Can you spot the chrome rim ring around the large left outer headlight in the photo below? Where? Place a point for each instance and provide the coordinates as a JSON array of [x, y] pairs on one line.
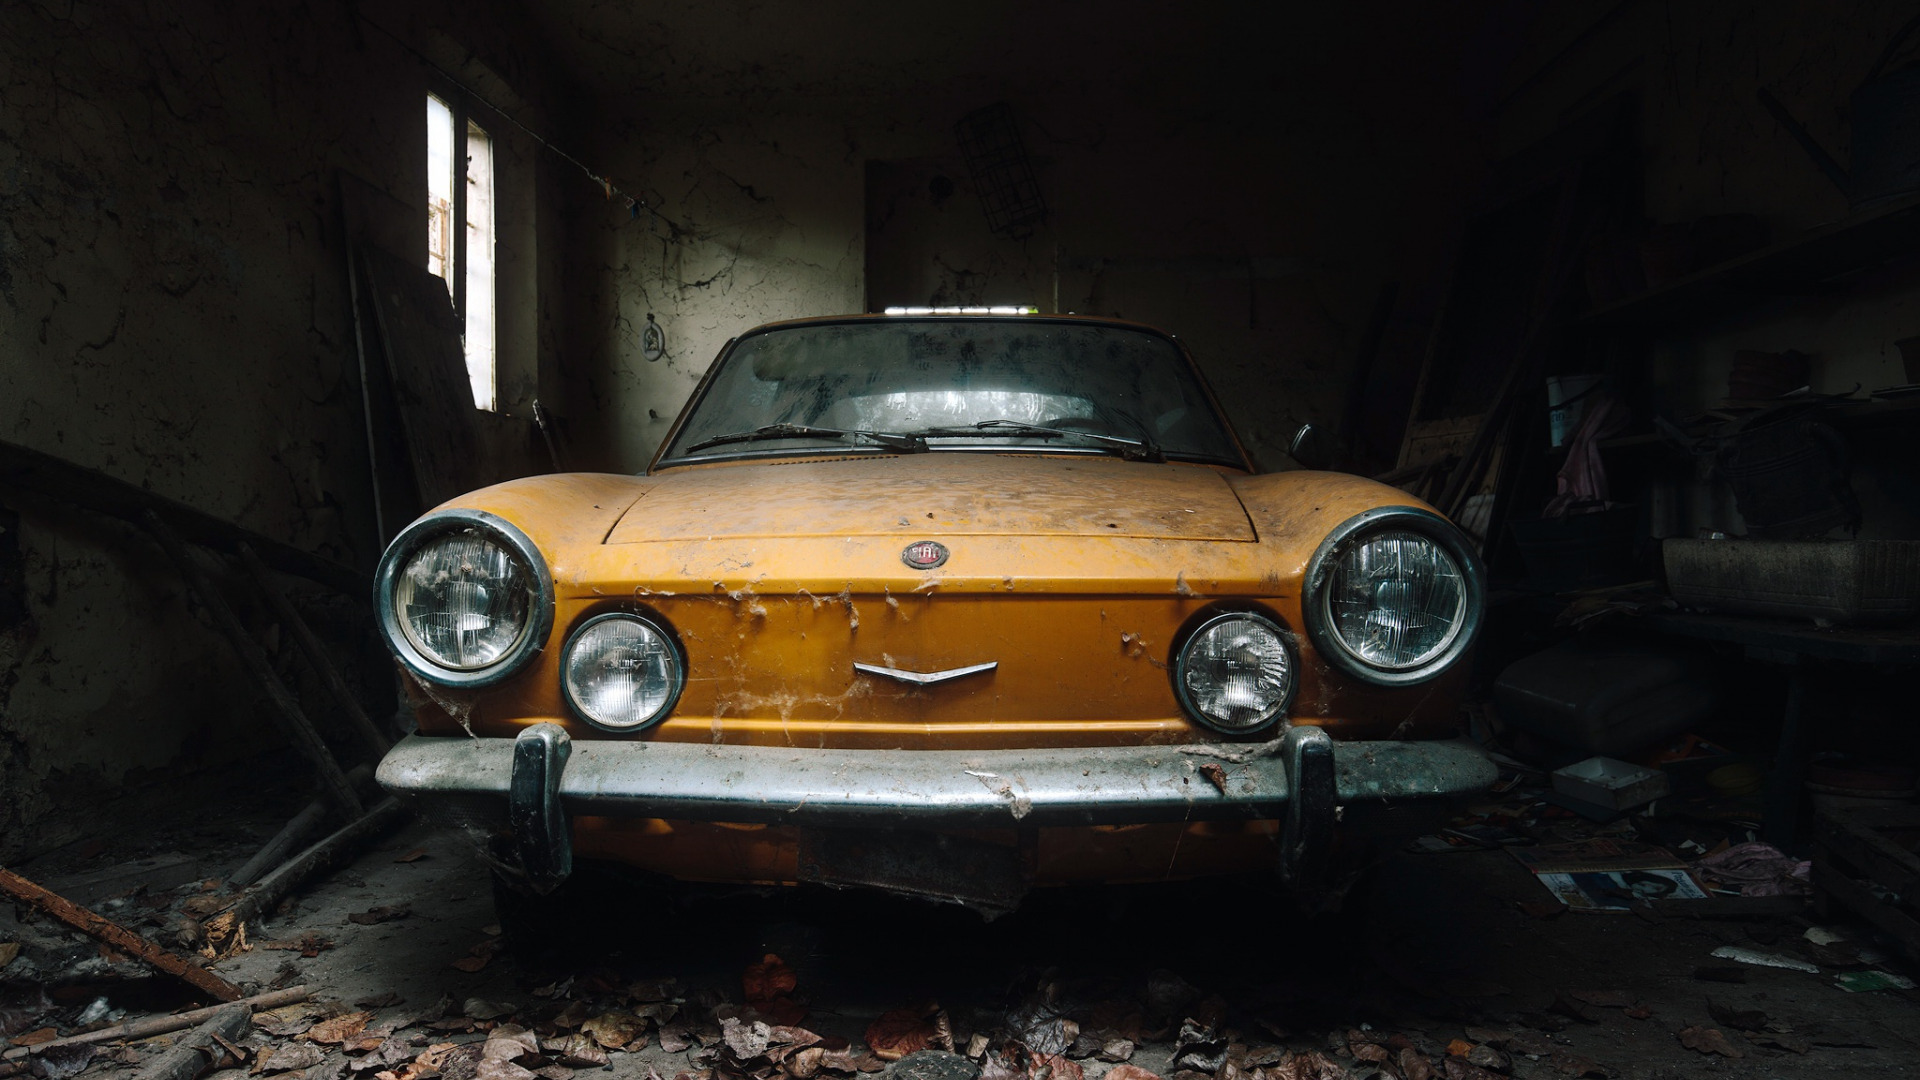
[[429, 529]]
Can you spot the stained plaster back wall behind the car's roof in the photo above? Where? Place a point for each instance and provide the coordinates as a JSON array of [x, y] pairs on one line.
[[1247, 187]]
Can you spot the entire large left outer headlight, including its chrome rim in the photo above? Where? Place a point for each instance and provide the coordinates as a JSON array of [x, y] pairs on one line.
[[464, 599]]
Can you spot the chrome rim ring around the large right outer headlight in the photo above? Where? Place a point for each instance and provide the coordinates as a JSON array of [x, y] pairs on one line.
[[1318, 599]]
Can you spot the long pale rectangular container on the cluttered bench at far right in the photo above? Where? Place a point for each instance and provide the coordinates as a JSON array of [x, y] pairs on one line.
[[1827, 581]]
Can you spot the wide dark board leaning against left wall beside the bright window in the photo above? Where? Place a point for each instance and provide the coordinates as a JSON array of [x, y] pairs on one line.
[[421, 339]]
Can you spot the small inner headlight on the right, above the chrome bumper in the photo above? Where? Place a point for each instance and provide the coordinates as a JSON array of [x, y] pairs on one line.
[[1236, 674]]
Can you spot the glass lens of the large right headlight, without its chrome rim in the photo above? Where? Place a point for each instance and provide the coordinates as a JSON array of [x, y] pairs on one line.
[[1397, 601]]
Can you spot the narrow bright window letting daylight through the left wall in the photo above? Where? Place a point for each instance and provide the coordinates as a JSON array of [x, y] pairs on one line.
[[460, 233]]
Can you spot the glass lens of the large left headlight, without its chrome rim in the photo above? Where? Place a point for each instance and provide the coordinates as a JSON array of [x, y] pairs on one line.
[[464, 601]]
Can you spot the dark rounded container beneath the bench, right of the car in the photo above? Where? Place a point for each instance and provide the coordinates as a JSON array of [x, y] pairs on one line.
[[1606, 697]]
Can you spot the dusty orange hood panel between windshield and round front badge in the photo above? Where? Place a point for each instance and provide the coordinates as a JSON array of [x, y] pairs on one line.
[[953, 495]]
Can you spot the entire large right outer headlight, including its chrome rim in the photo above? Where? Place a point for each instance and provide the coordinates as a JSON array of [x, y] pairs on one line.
[[1395, 597]]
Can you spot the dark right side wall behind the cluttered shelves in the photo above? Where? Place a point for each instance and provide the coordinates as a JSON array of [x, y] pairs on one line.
[[1710, 147]]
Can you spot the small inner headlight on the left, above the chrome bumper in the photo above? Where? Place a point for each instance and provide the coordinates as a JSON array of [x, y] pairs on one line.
[[623, 672]]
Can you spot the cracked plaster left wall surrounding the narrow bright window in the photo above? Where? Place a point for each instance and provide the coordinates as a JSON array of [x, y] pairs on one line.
[[174, 312]]
